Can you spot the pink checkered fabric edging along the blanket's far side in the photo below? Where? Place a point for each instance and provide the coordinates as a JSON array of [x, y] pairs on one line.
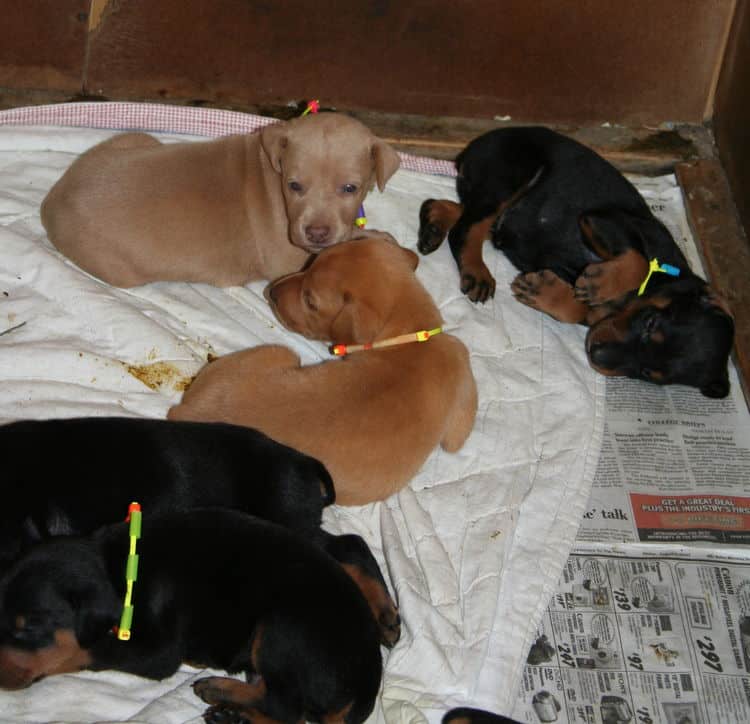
[[155, 117]]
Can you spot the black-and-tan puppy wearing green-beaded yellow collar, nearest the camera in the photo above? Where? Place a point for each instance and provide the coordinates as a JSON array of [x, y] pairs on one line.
[[215, 588]]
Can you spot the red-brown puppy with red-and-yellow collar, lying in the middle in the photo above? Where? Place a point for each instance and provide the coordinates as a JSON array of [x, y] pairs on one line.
[[373, 417]]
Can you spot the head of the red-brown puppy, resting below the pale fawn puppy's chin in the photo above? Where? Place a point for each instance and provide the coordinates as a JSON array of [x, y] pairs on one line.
[[346, 292]]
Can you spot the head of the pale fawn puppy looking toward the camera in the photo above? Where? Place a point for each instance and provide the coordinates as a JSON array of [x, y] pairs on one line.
[[327, 163]]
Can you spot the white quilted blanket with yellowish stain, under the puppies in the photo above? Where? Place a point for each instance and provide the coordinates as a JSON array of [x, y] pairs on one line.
[[472, 548]]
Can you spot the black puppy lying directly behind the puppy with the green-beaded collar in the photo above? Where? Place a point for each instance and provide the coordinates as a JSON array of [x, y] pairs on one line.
[[72, 476]]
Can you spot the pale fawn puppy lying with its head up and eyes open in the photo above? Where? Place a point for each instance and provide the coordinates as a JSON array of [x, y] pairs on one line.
[[133, 210]]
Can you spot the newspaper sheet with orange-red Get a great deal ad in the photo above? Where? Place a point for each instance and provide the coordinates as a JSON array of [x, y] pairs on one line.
[[674, 468]]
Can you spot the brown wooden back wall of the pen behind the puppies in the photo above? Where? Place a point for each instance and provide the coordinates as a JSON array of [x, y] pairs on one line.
[[556, 61]]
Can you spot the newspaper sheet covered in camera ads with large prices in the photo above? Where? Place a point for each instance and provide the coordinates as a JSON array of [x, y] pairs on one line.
[[626, 639]]
